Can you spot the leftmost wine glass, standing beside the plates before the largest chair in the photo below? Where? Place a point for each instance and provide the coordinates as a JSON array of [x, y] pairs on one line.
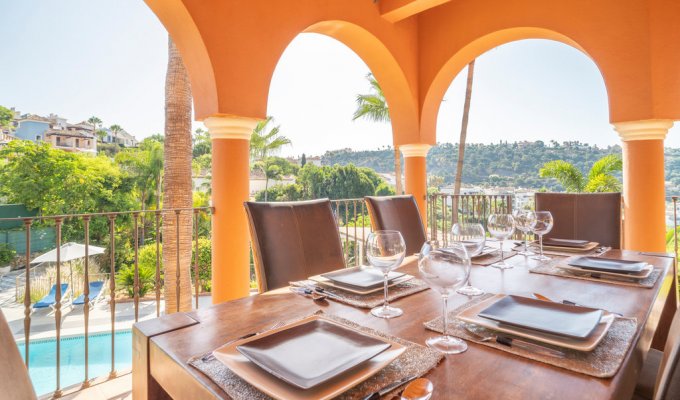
[[385, 251]]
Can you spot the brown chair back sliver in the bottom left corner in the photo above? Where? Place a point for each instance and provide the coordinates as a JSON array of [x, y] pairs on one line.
[[15, 382]]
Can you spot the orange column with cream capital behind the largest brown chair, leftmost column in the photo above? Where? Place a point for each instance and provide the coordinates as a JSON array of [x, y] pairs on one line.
[[230, 188]]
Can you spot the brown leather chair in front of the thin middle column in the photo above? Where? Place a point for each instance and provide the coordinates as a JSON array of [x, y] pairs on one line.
[[398, 213]]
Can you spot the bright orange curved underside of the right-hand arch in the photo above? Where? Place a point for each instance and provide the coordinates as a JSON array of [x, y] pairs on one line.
[[442, 80]]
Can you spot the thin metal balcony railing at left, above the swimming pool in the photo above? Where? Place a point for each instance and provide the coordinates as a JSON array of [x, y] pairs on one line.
[[122, 234]]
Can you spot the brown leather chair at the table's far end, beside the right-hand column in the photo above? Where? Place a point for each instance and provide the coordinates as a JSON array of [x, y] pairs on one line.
[[588, 216]]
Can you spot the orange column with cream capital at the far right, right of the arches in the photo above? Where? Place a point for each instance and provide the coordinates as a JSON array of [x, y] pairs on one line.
[[644, 208]]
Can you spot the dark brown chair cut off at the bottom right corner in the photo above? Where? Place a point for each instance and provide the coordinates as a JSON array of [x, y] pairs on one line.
[[660, 375]]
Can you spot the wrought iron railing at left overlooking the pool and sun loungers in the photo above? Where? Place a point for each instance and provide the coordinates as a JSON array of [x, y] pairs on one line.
[[126, 230]]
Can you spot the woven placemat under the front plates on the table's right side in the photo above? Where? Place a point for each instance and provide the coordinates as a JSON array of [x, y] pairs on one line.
[[603, 362]]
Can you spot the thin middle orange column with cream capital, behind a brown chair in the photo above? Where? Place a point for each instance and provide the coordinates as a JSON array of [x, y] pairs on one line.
[[415, 174]]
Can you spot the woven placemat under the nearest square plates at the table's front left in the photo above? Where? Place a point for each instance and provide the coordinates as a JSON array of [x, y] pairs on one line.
[[416, 360]]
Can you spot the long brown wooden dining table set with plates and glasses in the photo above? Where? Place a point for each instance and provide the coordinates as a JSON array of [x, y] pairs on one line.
[[162, 347]]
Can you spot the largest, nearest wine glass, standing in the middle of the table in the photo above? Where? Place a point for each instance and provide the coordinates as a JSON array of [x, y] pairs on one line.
[[445, 270]]
